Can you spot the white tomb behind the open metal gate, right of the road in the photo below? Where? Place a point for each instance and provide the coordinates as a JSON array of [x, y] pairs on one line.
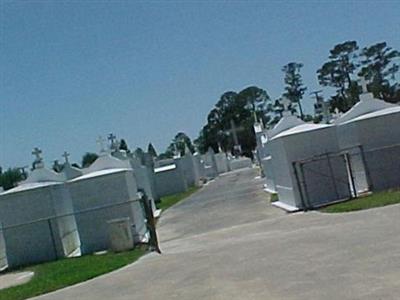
[[325, 179]]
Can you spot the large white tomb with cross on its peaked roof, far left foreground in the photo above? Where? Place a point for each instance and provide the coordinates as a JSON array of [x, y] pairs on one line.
[[38, 220]]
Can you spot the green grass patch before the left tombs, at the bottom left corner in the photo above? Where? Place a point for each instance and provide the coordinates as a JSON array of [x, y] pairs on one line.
[[54, 275]]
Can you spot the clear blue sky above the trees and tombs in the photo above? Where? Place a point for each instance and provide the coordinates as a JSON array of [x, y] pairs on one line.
[[71, 71]]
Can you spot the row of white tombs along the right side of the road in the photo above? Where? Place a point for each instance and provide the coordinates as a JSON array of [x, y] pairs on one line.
[[312, 165]]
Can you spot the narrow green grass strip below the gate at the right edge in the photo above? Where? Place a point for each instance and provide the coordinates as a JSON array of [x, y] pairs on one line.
[[371, 201]]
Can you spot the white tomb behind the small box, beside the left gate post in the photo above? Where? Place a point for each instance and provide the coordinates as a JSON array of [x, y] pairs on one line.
[[105, 192]]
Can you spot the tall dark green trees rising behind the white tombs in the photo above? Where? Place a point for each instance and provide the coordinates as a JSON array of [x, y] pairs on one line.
[[346, 63]]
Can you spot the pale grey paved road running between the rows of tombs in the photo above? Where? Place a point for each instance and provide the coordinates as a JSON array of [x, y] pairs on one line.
[[226, 242]]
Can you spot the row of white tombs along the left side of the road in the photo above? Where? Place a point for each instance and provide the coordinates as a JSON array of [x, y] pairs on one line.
[[81, 211]]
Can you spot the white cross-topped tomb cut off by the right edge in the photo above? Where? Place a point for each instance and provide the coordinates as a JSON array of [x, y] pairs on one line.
[[373, 125]]
